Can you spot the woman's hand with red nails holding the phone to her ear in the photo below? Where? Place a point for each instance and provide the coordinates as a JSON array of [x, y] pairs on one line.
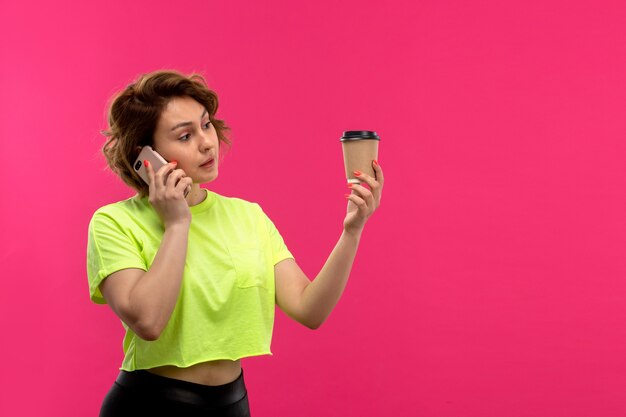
[[167, 193]]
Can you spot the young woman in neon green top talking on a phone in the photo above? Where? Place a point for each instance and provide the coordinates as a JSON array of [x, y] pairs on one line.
[[193, 275]]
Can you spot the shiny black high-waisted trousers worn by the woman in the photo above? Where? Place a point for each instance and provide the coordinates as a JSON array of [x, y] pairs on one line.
[[141, 393]]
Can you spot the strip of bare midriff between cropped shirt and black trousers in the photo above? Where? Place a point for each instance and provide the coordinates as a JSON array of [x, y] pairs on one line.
[[207, 373]]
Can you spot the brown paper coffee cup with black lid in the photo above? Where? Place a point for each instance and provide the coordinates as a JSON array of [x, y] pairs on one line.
[[360, 148]]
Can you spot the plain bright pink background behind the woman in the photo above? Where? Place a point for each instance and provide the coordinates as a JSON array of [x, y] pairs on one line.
[[491, 281]]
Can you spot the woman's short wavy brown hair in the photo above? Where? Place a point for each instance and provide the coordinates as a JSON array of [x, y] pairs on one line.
[[134, 113]]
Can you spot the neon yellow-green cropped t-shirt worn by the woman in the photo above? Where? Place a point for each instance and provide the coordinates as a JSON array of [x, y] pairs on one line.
[[225, 309]]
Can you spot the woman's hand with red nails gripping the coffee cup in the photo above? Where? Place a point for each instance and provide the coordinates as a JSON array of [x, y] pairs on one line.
[[362, 202]]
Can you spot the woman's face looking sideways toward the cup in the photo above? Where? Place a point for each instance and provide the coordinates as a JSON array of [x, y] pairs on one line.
[[185, 134]]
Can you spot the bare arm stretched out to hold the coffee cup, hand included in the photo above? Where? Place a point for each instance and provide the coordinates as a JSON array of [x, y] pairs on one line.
[[310, 303]]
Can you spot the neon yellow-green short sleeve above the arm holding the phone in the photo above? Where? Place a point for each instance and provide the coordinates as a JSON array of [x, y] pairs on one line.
[[109, 249]]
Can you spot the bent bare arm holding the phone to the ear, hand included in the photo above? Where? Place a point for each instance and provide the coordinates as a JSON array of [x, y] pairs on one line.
[[145, 300]]
